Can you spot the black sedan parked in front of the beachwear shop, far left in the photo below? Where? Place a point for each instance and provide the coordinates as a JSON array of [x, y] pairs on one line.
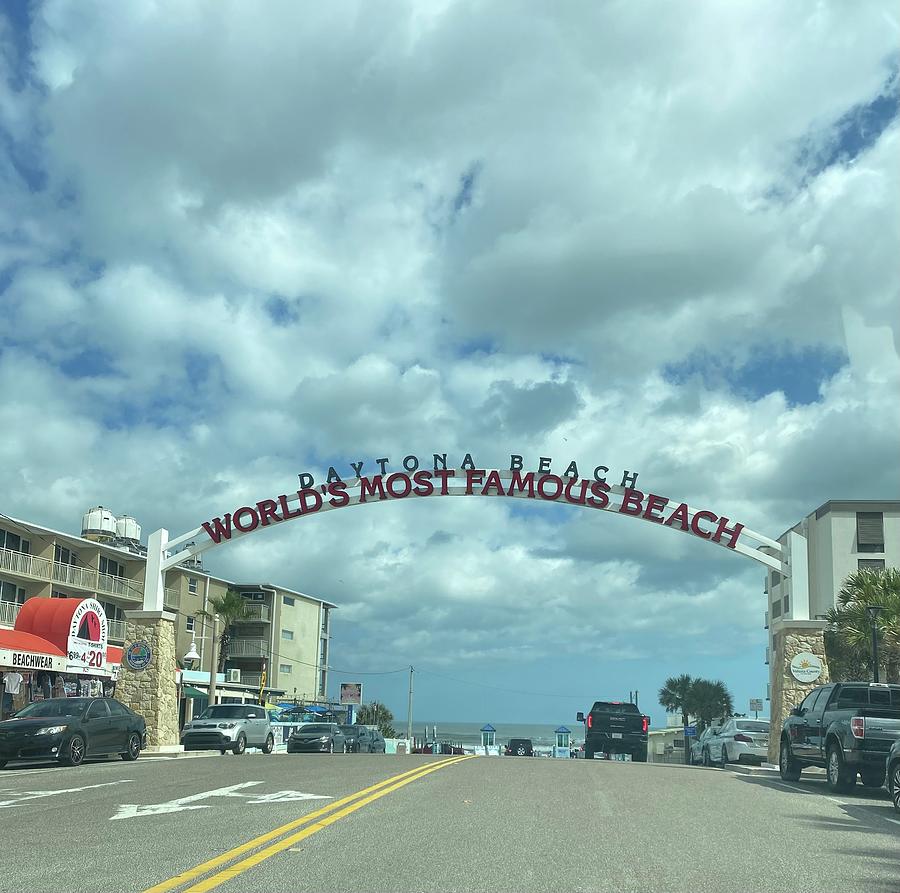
[[70, 729]]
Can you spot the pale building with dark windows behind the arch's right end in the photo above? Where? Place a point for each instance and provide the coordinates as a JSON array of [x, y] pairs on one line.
[[838, 538]]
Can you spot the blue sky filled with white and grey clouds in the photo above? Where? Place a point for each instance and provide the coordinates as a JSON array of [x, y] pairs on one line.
[[240, 241]]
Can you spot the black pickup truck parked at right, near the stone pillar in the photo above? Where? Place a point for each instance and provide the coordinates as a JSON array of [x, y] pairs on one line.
[[846, 727]]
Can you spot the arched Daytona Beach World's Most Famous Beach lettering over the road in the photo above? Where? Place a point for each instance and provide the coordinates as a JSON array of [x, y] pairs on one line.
[[412, 482]]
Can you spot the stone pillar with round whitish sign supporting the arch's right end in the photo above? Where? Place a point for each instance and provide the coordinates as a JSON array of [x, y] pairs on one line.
[[787, 692]]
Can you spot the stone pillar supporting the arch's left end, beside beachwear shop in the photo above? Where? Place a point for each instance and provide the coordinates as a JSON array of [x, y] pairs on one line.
[[152, 692]]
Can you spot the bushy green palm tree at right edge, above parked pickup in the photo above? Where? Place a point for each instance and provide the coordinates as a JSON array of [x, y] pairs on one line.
[[852, 623]]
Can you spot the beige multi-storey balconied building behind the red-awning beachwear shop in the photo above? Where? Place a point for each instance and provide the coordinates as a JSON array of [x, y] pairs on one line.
[[285, 631]]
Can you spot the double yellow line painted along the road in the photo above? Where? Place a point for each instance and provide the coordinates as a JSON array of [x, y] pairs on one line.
[[308, 824]]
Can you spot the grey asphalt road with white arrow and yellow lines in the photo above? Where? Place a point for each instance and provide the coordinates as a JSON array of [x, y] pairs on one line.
[[435, 824]]
